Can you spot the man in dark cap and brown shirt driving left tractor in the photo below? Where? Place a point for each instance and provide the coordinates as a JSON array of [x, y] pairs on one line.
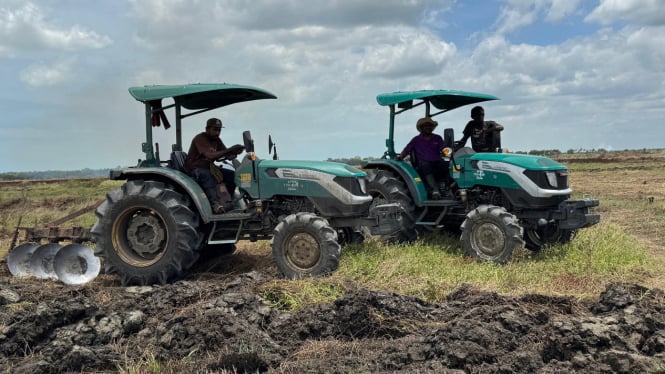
[[217, 183]]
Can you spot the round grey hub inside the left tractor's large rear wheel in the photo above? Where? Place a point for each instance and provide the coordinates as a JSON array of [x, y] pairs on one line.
[[145, 234]]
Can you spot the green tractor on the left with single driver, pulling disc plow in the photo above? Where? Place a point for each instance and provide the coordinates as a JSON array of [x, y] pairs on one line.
[[154, 227]]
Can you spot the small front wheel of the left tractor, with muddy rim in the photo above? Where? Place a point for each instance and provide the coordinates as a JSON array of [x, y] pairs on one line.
[[305, 245]]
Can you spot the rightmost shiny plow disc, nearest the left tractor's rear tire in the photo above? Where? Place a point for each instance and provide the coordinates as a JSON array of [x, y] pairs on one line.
[[76, 264]]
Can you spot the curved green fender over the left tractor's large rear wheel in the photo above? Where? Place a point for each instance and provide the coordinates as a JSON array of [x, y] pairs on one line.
[[179, 180]]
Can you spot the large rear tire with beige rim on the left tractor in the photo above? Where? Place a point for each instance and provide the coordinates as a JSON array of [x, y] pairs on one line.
[[146, 233]]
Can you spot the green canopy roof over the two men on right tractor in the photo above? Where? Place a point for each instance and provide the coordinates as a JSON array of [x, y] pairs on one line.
[[444, 100]]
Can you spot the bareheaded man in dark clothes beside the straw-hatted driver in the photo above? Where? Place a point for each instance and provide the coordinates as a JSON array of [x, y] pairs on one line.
[[484, 135]]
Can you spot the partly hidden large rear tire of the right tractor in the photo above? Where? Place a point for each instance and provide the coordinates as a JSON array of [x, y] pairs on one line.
[[385, 187]]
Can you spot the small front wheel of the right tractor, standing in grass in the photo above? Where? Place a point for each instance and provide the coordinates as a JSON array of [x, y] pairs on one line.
[[490, 233]]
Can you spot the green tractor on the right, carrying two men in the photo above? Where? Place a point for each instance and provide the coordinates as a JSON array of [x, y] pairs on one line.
[[499, 201]]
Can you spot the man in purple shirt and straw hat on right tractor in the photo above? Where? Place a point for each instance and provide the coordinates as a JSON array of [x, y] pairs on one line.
[[426, 157]]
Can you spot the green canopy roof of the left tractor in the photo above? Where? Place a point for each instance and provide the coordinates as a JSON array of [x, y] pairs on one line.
[[201, 95]]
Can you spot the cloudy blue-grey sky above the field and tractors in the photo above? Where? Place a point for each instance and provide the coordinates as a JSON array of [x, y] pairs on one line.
[[570, 74]]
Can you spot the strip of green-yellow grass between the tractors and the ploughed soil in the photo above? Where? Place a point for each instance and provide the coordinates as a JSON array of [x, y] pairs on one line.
[[433, 267]]
